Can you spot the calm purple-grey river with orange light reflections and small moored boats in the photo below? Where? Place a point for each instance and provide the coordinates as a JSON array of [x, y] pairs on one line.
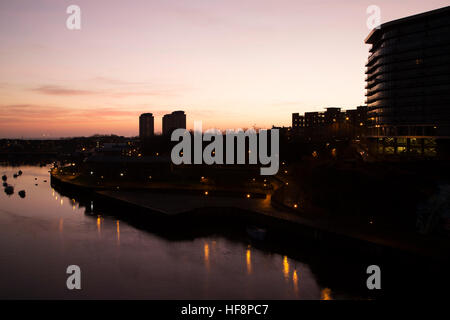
[[43, 233]]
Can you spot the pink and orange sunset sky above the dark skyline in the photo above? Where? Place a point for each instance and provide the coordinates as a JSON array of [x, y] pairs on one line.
[[228, 63]]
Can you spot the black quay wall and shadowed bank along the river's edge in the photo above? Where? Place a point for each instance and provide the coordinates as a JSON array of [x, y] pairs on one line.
[[317, 248]]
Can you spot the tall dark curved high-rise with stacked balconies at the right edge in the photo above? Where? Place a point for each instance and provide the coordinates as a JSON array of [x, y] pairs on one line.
[[408, 84]]
